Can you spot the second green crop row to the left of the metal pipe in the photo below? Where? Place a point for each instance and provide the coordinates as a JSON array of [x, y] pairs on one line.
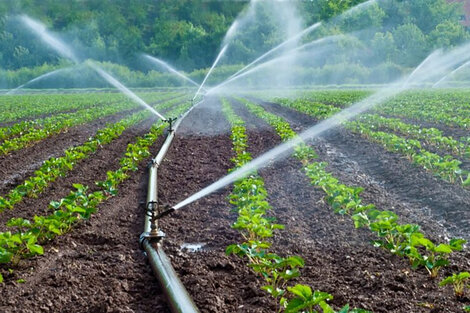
[[54, 168]]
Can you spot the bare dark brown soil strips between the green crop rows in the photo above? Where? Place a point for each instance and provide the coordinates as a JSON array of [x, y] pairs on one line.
[[98, 267]]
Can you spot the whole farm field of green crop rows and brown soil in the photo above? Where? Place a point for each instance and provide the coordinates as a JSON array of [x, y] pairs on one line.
[[367, 213]]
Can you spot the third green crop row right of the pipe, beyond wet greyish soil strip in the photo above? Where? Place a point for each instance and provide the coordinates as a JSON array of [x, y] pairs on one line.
[[445, 167]]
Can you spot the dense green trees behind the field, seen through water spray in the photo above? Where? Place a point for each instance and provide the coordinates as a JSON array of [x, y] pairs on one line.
[[189, 33]]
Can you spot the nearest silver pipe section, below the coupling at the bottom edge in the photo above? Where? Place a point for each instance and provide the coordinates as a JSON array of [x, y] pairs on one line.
[[178, 297]]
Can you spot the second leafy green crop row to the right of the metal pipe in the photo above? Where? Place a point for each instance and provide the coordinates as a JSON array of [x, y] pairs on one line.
[[404, 240]]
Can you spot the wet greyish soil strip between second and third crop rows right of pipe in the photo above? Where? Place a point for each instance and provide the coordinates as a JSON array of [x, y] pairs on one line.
[[356, 161]]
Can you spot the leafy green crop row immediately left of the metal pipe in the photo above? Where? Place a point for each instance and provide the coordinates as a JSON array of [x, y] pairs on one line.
[[27, 236]]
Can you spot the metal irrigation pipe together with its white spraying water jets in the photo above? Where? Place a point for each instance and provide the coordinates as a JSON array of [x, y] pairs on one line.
[[152, 237]]
